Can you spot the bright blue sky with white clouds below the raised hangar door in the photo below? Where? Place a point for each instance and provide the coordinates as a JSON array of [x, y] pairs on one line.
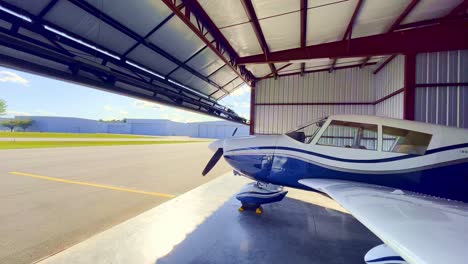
[[28, 94]]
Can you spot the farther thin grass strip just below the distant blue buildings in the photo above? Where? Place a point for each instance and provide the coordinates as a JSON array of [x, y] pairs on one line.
[[65, 135]]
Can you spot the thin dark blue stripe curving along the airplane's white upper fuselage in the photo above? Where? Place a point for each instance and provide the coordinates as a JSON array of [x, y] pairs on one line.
[[273, 148]]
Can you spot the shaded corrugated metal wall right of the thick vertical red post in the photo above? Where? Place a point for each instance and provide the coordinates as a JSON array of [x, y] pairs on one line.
[[444, 105]]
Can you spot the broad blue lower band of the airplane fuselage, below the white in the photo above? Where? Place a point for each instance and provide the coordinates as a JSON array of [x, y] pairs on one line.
[[448, 181]]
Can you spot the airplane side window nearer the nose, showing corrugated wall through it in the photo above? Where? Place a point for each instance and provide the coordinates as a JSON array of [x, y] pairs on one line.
[[350, 135]]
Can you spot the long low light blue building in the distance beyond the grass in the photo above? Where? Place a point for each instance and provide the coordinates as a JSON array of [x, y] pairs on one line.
[[157, 127]]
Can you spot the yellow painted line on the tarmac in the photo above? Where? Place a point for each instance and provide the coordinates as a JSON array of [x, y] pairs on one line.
[[92, 184]]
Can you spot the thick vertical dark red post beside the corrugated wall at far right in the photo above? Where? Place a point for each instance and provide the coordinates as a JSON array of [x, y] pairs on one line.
[[410, 87]]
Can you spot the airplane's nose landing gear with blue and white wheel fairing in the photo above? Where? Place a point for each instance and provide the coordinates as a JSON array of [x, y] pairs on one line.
[[253, 195]]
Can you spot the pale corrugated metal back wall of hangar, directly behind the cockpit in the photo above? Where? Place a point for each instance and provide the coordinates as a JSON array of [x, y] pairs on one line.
[[346, 85]]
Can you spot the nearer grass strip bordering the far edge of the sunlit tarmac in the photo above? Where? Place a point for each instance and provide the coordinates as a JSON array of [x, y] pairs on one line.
[[59, 144]]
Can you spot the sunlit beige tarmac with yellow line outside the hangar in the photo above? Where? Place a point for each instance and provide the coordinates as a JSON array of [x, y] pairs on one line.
[[51, 199]]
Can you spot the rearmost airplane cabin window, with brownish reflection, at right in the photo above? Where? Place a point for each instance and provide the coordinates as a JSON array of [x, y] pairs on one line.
[[404, 141]]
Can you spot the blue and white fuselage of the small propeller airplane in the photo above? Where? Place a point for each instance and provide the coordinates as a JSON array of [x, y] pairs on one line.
[[441, 171]]
